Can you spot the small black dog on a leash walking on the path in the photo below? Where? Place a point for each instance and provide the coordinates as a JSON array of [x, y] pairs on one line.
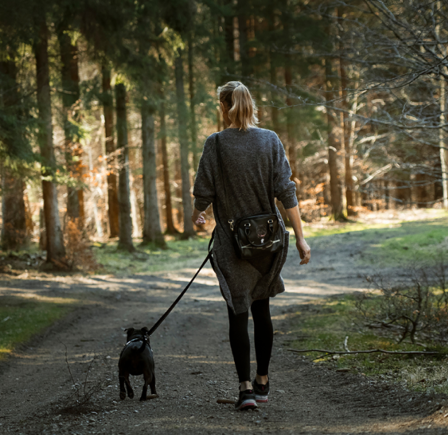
[[136, 359]]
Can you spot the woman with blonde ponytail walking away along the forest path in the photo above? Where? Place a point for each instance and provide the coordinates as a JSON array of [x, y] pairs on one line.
[[241, 171]]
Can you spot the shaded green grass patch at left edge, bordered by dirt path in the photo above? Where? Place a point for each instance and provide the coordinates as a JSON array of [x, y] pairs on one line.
[[21, 318]]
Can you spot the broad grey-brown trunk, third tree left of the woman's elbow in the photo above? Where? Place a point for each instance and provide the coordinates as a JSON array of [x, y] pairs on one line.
[[152, 232]]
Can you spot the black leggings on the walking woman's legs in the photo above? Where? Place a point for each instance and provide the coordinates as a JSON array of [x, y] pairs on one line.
[[239, 339]]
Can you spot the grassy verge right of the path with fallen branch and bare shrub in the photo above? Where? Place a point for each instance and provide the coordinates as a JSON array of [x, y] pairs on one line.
[[325, 324]]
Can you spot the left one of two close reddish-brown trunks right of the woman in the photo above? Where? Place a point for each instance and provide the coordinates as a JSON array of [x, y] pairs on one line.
[[334, 144]]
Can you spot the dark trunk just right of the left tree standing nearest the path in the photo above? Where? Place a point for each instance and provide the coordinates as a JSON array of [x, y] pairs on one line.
[[70, 111]]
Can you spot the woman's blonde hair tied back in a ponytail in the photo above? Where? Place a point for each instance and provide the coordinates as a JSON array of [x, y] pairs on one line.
[[237, 98]]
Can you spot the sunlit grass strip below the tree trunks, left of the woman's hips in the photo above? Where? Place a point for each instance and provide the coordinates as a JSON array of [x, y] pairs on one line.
[[149, 259]]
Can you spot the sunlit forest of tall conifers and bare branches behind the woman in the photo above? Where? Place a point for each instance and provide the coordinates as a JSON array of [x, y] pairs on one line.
[[105, 106]]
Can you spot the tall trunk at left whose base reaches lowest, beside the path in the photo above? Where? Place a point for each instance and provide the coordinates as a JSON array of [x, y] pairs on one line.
[[55, 242]]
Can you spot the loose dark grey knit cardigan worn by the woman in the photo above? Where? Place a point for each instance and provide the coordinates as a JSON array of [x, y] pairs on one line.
[[256, 170]]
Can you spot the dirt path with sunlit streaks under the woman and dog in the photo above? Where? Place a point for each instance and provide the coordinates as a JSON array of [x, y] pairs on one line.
[[194, 365]]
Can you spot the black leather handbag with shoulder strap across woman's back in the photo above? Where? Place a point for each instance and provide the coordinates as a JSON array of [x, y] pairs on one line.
[[254, 236]]
